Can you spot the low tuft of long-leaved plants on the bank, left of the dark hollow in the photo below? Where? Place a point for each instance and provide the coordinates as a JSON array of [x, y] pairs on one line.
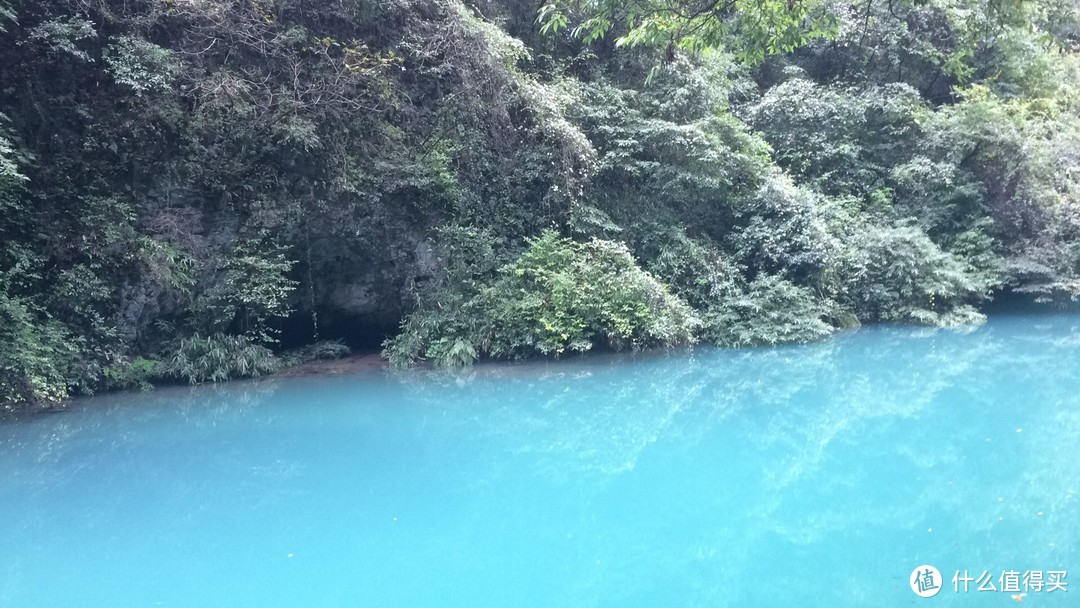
[[218, 359]]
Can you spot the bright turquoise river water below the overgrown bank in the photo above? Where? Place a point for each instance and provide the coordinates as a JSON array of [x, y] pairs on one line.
[[803, 477]]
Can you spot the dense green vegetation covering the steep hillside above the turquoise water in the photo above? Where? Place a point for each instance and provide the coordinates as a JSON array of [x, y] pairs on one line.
[[192, 188]]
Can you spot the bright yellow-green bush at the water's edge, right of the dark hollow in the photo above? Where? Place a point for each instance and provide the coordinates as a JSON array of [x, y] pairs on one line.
[[559, 296]]
